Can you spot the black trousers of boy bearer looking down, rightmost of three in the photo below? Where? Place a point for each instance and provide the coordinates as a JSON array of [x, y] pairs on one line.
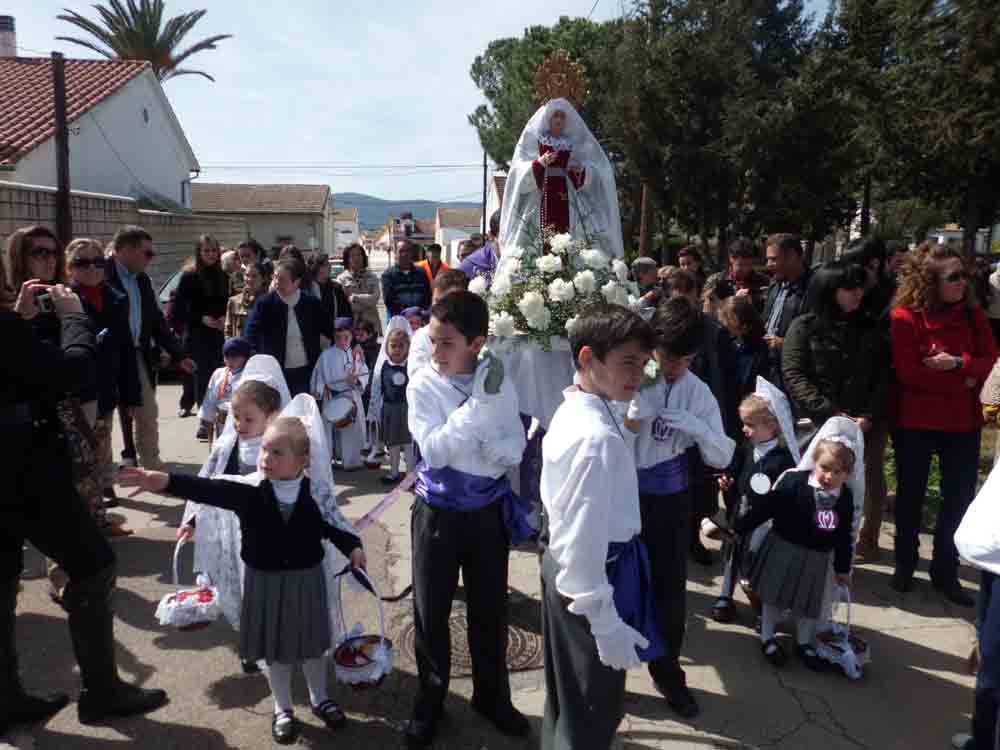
[[666, 533]]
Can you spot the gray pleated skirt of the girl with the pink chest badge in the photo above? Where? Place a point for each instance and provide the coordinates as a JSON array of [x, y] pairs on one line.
[[788, 576]]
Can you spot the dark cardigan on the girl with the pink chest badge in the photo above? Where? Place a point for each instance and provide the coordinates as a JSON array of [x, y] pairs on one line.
[[792, 505]]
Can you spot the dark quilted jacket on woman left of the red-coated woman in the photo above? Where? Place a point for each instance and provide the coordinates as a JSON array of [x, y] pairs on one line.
[[833, 367]]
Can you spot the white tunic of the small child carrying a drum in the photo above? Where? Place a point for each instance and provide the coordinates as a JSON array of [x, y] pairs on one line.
[[328, 382]]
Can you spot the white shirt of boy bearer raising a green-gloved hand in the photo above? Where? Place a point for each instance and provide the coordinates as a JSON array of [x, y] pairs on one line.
[[456, 424]]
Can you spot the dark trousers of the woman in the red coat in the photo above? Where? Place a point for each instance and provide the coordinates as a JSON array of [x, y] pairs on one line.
[[959, 456]]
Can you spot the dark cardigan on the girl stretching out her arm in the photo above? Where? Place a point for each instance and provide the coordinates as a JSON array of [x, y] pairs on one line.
[[269, 542]]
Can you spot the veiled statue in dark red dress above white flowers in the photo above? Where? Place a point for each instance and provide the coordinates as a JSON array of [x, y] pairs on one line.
[[560, 182]]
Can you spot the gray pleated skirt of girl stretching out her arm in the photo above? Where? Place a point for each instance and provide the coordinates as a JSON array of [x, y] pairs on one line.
[[285, 615]]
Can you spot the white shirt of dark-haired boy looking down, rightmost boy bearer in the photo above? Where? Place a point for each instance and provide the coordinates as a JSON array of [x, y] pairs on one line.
[[676, 416]]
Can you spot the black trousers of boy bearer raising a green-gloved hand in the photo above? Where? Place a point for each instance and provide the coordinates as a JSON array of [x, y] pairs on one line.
[[444, 542]]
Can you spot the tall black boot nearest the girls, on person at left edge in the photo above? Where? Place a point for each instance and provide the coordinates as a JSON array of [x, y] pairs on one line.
[[91, 627]]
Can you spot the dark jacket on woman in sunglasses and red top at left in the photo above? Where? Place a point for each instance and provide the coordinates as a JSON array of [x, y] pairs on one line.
[[117, 369]]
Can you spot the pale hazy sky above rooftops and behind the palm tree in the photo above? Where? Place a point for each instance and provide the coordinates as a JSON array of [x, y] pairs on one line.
[[379, 82]]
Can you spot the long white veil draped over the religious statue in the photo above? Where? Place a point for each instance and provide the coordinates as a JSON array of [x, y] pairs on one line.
[[593, 208]]
